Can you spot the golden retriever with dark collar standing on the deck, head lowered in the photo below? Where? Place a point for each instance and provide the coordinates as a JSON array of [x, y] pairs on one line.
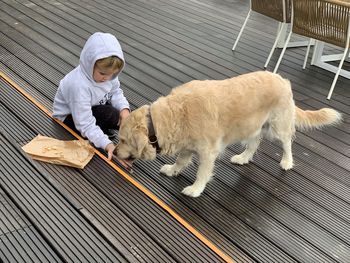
[[203, 117]]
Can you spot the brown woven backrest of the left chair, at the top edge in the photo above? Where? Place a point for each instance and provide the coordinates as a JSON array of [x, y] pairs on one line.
[[279, 10]]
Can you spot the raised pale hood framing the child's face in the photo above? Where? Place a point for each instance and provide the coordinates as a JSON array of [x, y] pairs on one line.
[[99, 45]]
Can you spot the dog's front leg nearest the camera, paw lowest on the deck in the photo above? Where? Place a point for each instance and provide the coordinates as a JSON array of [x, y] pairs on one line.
[[204, 173]]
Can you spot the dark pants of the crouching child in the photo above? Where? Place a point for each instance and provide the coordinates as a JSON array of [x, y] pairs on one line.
[[107, 117]]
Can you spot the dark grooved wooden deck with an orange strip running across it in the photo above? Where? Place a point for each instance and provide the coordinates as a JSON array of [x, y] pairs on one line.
[[251, 213]]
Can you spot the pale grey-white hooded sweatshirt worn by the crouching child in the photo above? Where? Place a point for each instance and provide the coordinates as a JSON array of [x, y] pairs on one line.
[[78, 91]]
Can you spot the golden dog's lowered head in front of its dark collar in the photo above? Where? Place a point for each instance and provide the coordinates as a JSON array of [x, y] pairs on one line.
[[133, 137]]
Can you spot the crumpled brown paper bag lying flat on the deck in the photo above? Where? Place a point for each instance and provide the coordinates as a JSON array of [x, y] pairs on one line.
[[76, 153]]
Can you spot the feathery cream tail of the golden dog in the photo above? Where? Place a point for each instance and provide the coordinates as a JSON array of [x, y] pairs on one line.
[[306, 119]]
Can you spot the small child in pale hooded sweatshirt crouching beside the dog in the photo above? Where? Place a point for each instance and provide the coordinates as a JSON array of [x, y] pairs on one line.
[[89, 99]]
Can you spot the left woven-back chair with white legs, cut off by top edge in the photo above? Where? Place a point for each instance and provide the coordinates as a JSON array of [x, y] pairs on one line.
[[276, 9]]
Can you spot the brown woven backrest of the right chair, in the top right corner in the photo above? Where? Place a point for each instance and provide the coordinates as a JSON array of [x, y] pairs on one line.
[[324, 20]]
